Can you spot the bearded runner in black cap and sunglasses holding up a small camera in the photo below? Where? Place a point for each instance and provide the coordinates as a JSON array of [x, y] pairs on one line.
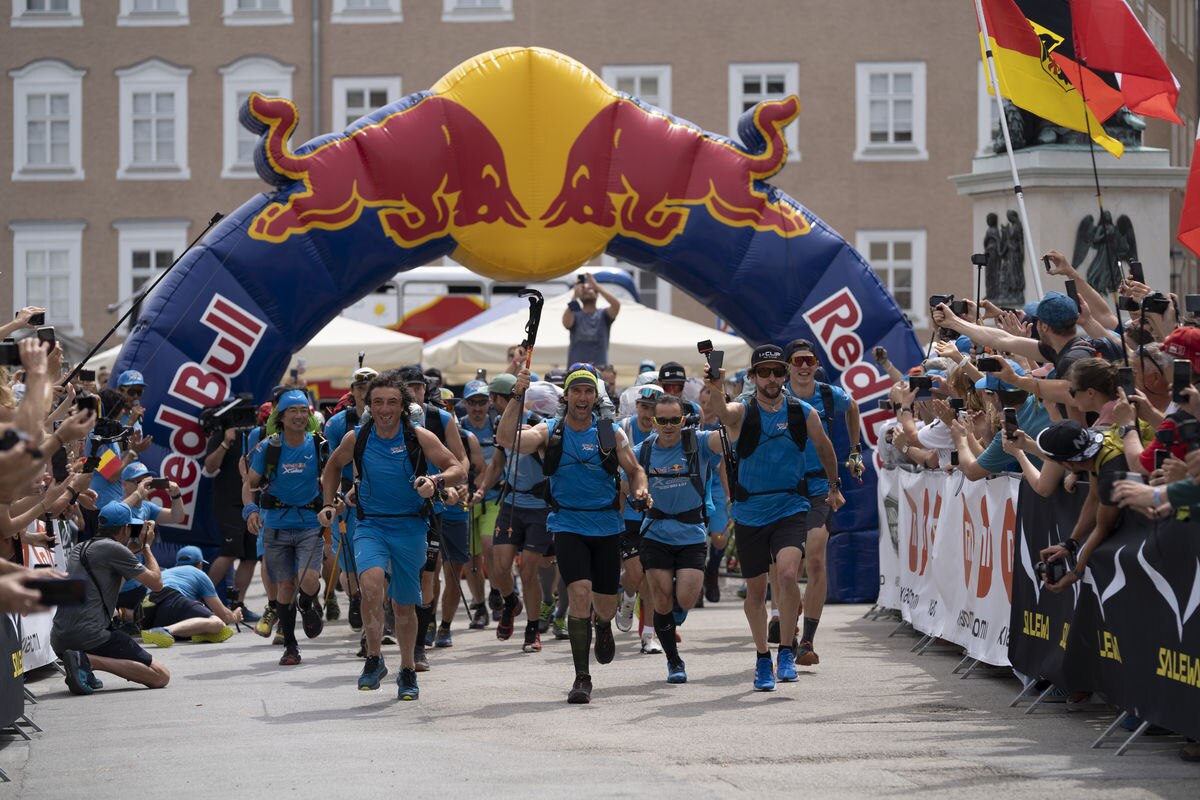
[[771, 497]]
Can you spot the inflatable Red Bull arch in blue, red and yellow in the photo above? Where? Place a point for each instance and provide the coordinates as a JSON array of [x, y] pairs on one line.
[[521, 165]]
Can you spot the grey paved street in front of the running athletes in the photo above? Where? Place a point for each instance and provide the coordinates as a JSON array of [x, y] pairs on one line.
[[872, 720]]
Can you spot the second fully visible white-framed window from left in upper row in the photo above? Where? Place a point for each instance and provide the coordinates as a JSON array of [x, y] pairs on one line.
[[154, 122]]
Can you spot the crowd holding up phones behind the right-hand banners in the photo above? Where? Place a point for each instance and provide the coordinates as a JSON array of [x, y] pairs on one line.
[[1071, 390]]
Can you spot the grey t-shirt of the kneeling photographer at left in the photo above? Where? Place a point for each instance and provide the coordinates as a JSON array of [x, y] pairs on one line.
[[82, 628]]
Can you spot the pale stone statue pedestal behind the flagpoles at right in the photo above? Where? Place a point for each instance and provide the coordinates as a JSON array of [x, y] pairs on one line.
[[1060, 191]]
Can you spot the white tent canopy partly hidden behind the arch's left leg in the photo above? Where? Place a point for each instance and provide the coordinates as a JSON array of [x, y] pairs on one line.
[[334, 353]]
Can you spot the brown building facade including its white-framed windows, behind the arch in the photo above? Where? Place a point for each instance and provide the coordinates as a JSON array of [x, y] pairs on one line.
[[125, 137]]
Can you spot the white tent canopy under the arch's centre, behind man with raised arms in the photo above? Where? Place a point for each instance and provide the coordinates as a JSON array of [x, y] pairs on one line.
[[638, 334]]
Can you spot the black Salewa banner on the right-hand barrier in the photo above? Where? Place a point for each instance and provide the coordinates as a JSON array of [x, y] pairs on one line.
[[1131, 630]]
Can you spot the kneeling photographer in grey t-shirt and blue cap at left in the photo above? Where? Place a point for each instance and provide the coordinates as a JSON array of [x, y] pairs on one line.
[[83, 636]]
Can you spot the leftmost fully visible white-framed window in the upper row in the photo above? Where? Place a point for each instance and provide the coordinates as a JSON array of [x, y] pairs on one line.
[[47, 122]]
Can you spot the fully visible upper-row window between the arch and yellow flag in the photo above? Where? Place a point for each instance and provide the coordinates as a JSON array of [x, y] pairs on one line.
[[890, 111]]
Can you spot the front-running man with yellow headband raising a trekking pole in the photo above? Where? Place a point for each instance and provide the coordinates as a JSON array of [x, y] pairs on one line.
[[585, 521]]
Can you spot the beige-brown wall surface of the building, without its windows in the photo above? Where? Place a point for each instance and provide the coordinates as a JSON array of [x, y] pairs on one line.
[[698, 39]]
